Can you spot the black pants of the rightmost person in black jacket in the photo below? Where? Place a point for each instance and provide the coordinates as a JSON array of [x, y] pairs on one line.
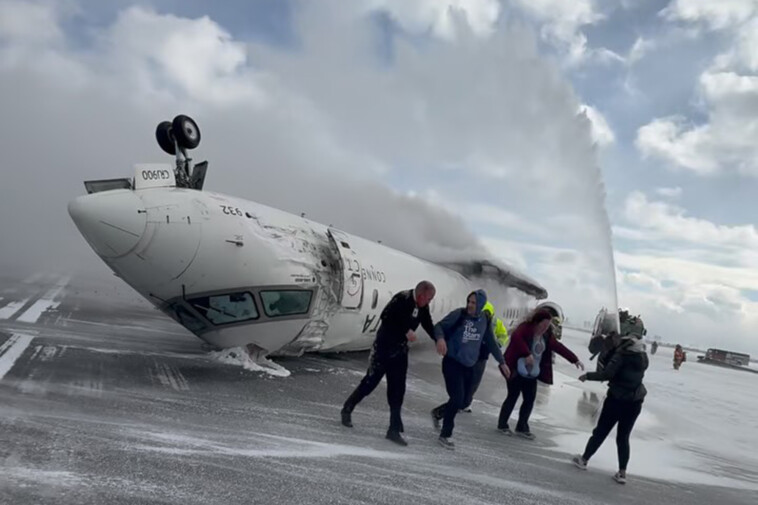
[[614, 411]]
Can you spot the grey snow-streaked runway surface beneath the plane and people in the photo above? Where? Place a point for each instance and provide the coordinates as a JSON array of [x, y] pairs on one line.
[[105, 400]]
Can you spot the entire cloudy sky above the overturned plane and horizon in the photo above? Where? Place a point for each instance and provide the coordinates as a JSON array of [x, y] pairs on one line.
[[555, 135]]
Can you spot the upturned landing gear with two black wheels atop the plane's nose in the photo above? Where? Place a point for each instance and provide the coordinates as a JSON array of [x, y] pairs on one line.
[[176, 138]]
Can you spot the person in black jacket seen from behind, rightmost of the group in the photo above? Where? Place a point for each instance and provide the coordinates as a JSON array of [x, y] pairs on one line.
[[623, 403]]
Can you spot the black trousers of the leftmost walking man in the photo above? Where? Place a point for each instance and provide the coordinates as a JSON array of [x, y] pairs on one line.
[[395, 367]]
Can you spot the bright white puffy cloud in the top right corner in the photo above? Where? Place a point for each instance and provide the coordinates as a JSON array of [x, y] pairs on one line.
[[728, 91]]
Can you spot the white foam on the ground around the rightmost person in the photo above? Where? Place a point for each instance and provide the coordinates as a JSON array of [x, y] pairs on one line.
[[697, 425]]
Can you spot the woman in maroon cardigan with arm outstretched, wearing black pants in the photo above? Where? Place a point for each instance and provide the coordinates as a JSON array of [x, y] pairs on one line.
[[528, 356]]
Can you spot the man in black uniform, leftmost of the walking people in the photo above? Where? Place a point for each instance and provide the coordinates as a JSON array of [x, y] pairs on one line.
[[389, 354]]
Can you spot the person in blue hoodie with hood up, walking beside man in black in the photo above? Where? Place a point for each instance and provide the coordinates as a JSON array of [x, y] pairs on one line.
[[461, 335]]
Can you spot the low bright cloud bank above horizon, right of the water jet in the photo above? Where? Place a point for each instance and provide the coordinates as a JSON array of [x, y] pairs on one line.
[[690, 277]]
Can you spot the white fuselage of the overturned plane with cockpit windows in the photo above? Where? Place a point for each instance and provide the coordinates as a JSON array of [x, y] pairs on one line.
[[236, 273]]
